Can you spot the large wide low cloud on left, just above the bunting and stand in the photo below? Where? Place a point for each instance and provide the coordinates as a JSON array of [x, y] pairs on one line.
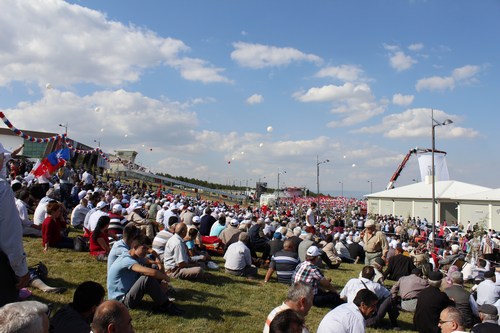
[[145, 120]]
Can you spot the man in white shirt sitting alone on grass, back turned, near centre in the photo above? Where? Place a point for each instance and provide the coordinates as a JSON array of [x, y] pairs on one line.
[[238, 258]]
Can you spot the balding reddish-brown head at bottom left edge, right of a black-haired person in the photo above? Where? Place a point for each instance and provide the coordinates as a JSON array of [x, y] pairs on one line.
[[112, 316]]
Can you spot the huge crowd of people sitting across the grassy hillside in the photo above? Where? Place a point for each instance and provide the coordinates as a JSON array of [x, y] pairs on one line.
[[149, 237]]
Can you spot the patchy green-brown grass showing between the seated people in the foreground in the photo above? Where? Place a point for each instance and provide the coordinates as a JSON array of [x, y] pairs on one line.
[[224, 304]]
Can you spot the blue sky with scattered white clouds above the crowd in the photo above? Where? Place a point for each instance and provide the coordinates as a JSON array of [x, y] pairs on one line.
[[192, 85]]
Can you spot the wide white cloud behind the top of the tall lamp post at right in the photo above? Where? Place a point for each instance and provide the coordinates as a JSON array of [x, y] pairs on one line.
[[416, 123]]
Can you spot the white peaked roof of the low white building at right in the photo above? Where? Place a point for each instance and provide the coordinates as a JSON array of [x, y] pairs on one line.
[[449, 189]]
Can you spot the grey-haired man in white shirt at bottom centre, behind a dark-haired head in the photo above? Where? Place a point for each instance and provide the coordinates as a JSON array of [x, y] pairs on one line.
[[299, 299]]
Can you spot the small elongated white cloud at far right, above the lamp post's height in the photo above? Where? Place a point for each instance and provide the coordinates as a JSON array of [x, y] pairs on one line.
[[461, 75]]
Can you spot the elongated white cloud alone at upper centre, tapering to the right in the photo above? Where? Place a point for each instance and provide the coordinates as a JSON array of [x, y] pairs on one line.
[[260, 56]]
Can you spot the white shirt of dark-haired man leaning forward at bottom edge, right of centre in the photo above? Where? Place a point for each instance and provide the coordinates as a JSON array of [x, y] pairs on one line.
[[345, 318]]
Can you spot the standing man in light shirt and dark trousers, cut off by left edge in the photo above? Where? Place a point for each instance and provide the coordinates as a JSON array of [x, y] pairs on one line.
[[13, 266]]
